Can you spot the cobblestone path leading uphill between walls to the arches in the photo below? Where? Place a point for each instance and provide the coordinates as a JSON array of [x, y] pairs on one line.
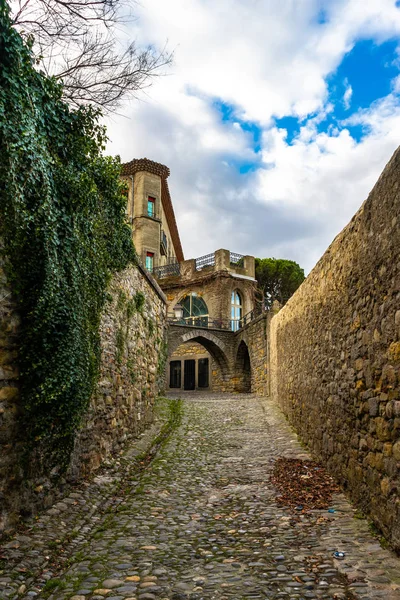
[[201, 522]]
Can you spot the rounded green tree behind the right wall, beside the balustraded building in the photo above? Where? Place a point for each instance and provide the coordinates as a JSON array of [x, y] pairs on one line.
[[278, 279]]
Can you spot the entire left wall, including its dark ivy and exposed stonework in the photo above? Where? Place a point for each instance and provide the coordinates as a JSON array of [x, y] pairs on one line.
[[64, 241]]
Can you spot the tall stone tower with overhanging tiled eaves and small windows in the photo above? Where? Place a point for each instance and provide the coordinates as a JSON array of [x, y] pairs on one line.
[[151, 214]]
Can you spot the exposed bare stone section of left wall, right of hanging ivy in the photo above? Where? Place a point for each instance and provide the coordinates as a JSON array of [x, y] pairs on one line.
[[133, 342]]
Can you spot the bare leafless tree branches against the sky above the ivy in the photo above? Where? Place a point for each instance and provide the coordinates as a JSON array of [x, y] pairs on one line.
[[76, 41]]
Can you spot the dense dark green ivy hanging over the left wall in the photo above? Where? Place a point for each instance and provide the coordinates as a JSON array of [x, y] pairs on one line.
[[62, 213]]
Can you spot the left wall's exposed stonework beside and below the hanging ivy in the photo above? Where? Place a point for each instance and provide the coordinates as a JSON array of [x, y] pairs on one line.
[[133, 338]]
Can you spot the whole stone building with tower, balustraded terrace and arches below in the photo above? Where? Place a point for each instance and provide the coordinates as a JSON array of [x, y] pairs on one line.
[[214, 293]]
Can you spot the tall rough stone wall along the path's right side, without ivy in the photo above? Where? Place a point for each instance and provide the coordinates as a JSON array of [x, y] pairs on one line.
[[335, 356]]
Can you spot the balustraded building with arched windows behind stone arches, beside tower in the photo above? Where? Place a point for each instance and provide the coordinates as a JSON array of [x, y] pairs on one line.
[[214, 292]]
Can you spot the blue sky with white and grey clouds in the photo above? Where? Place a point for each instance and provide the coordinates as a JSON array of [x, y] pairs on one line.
[[275, 119]]
